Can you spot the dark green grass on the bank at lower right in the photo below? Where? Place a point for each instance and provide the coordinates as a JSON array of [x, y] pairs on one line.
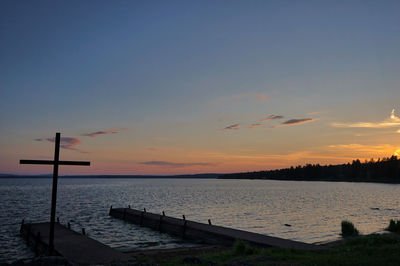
[[363, 250]]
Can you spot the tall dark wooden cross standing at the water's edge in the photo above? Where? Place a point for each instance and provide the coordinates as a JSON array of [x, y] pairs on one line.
[[56, 162]]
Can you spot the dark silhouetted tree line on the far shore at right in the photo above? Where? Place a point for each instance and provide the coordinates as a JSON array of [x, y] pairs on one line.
[[386, 170]]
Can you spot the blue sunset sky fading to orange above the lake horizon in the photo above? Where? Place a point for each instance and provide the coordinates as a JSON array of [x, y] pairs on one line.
[[186, 87]]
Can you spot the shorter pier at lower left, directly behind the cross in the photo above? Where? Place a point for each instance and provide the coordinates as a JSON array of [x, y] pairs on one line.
[[75, 247]]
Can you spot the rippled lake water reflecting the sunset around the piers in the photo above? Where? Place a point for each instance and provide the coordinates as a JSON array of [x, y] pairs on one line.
[[314, 209]]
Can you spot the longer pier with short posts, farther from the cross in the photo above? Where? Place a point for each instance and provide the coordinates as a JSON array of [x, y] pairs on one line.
[[206, 233]]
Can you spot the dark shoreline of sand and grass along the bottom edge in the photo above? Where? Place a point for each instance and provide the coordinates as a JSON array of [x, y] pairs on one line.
[[372, 249]]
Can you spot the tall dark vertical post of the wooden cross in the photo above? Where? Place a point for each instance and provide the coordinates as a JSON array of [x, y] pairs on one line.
[[54, 193]]
